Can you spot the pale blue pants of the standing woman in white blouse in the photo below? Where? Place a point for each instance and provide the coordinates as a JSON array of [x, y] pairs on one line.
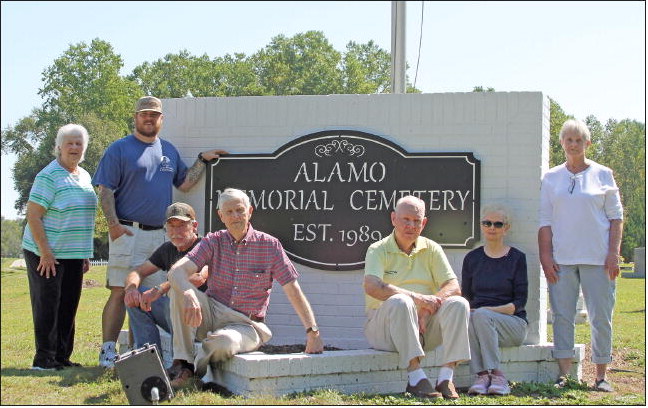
[[599, 293]]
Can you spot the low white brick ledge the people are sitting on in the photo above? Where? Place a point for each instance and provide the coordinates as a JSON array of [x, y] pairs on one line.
[[360, 371]]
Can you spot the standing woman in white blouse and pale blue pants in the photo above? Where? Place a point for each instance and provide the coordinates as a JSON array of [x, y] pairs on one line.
[[581, 221]]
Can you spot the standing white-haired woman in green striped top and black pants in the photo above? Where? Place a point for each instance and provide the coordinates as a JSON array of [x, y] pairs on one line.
[[57, 244]]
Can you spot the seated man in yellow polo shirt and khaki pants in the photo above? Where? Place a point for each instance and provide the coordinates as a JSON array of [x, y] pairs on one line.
[[413, 301]]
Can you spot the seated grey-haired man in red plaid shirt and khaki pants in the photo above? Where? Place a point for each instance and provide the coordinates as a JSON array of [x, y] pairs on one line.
[[229, 317]]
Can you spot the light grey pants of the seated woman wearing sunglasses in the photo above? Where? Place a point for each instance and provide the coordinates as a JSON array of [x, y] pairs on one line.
[[488, 332]]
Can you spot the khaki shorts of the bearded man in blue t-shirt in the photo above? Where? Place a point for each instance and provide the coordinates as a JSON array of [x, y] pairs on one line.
[[130, 251]]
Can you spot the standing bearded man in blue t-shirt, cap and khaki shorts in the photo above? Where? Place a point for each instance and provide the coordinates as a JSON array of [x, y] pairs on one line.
[[135, 180]]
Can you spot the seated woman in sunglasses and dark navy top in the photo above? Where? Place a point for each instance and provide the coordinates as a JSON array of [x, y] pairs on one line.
[[494, 281]]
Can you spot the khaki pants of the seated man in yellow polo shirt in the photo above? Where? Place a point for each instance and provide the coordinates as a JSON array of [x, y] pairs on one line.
[[394, 327]]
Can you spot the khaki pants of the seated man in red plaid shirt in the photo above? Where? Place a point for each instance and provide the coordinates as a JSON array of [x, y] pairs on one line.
[[223, 332]]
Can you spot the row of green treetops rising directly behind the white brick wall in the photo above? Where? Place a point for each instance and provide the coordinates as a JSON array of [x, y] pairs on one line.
[[305, 64]]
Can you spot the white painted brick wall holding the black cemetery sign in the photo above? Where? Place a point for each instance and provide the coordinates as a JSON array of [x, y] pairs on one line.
[[507, 131]]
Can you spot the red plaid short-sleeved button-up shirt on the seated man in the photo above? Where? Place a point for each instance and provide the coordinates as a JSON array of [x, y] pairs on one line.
[[241, 274]]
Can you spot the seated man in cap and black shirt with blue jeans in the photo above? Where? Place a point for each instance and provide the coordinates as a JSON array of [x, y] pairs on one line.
[[148, 307]]
